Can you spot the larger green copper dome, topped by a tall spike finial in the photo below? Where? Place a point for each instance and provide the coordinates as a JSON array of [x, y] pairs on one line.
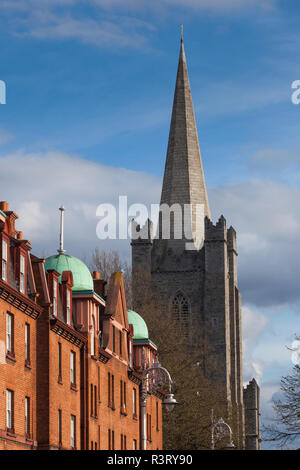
[[81, 275]]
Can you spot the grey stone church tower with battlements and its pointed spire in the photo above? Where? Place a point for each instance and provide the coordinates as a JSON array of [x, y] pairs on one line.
[[198, 277]]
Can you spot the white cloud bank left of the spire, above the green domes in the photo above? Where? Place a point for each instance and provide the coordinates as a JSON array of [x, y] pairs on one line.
[[36, 184]]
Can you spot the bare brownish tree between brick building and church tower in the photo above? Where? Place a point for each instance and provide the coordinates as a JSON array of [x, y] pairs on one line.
[[183, 354]]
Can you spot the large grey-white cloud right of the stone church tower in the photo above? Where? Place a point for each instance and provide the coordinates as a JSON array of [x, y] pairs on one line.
[[265, 215]]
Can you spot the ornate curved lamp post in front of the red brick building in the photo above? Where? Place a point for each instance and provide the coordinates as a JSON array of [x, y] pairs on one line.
[[169, 401]]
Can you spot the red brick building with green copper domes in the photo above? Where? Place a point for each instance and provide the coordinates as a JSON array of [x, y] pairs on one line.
[[71, 355]]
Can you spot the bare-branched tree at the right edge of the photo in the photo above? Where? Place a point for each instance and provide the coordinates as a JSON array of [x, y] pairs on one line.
[[285, 427]]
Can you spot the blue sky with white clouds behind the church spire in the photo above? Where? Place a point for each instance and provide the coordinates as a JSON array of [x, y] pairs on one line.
[[89, 96]]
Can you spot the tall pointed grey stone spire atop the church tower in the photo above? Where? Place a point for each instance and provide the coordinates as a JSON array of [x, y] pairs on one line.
[[184, 181]]
